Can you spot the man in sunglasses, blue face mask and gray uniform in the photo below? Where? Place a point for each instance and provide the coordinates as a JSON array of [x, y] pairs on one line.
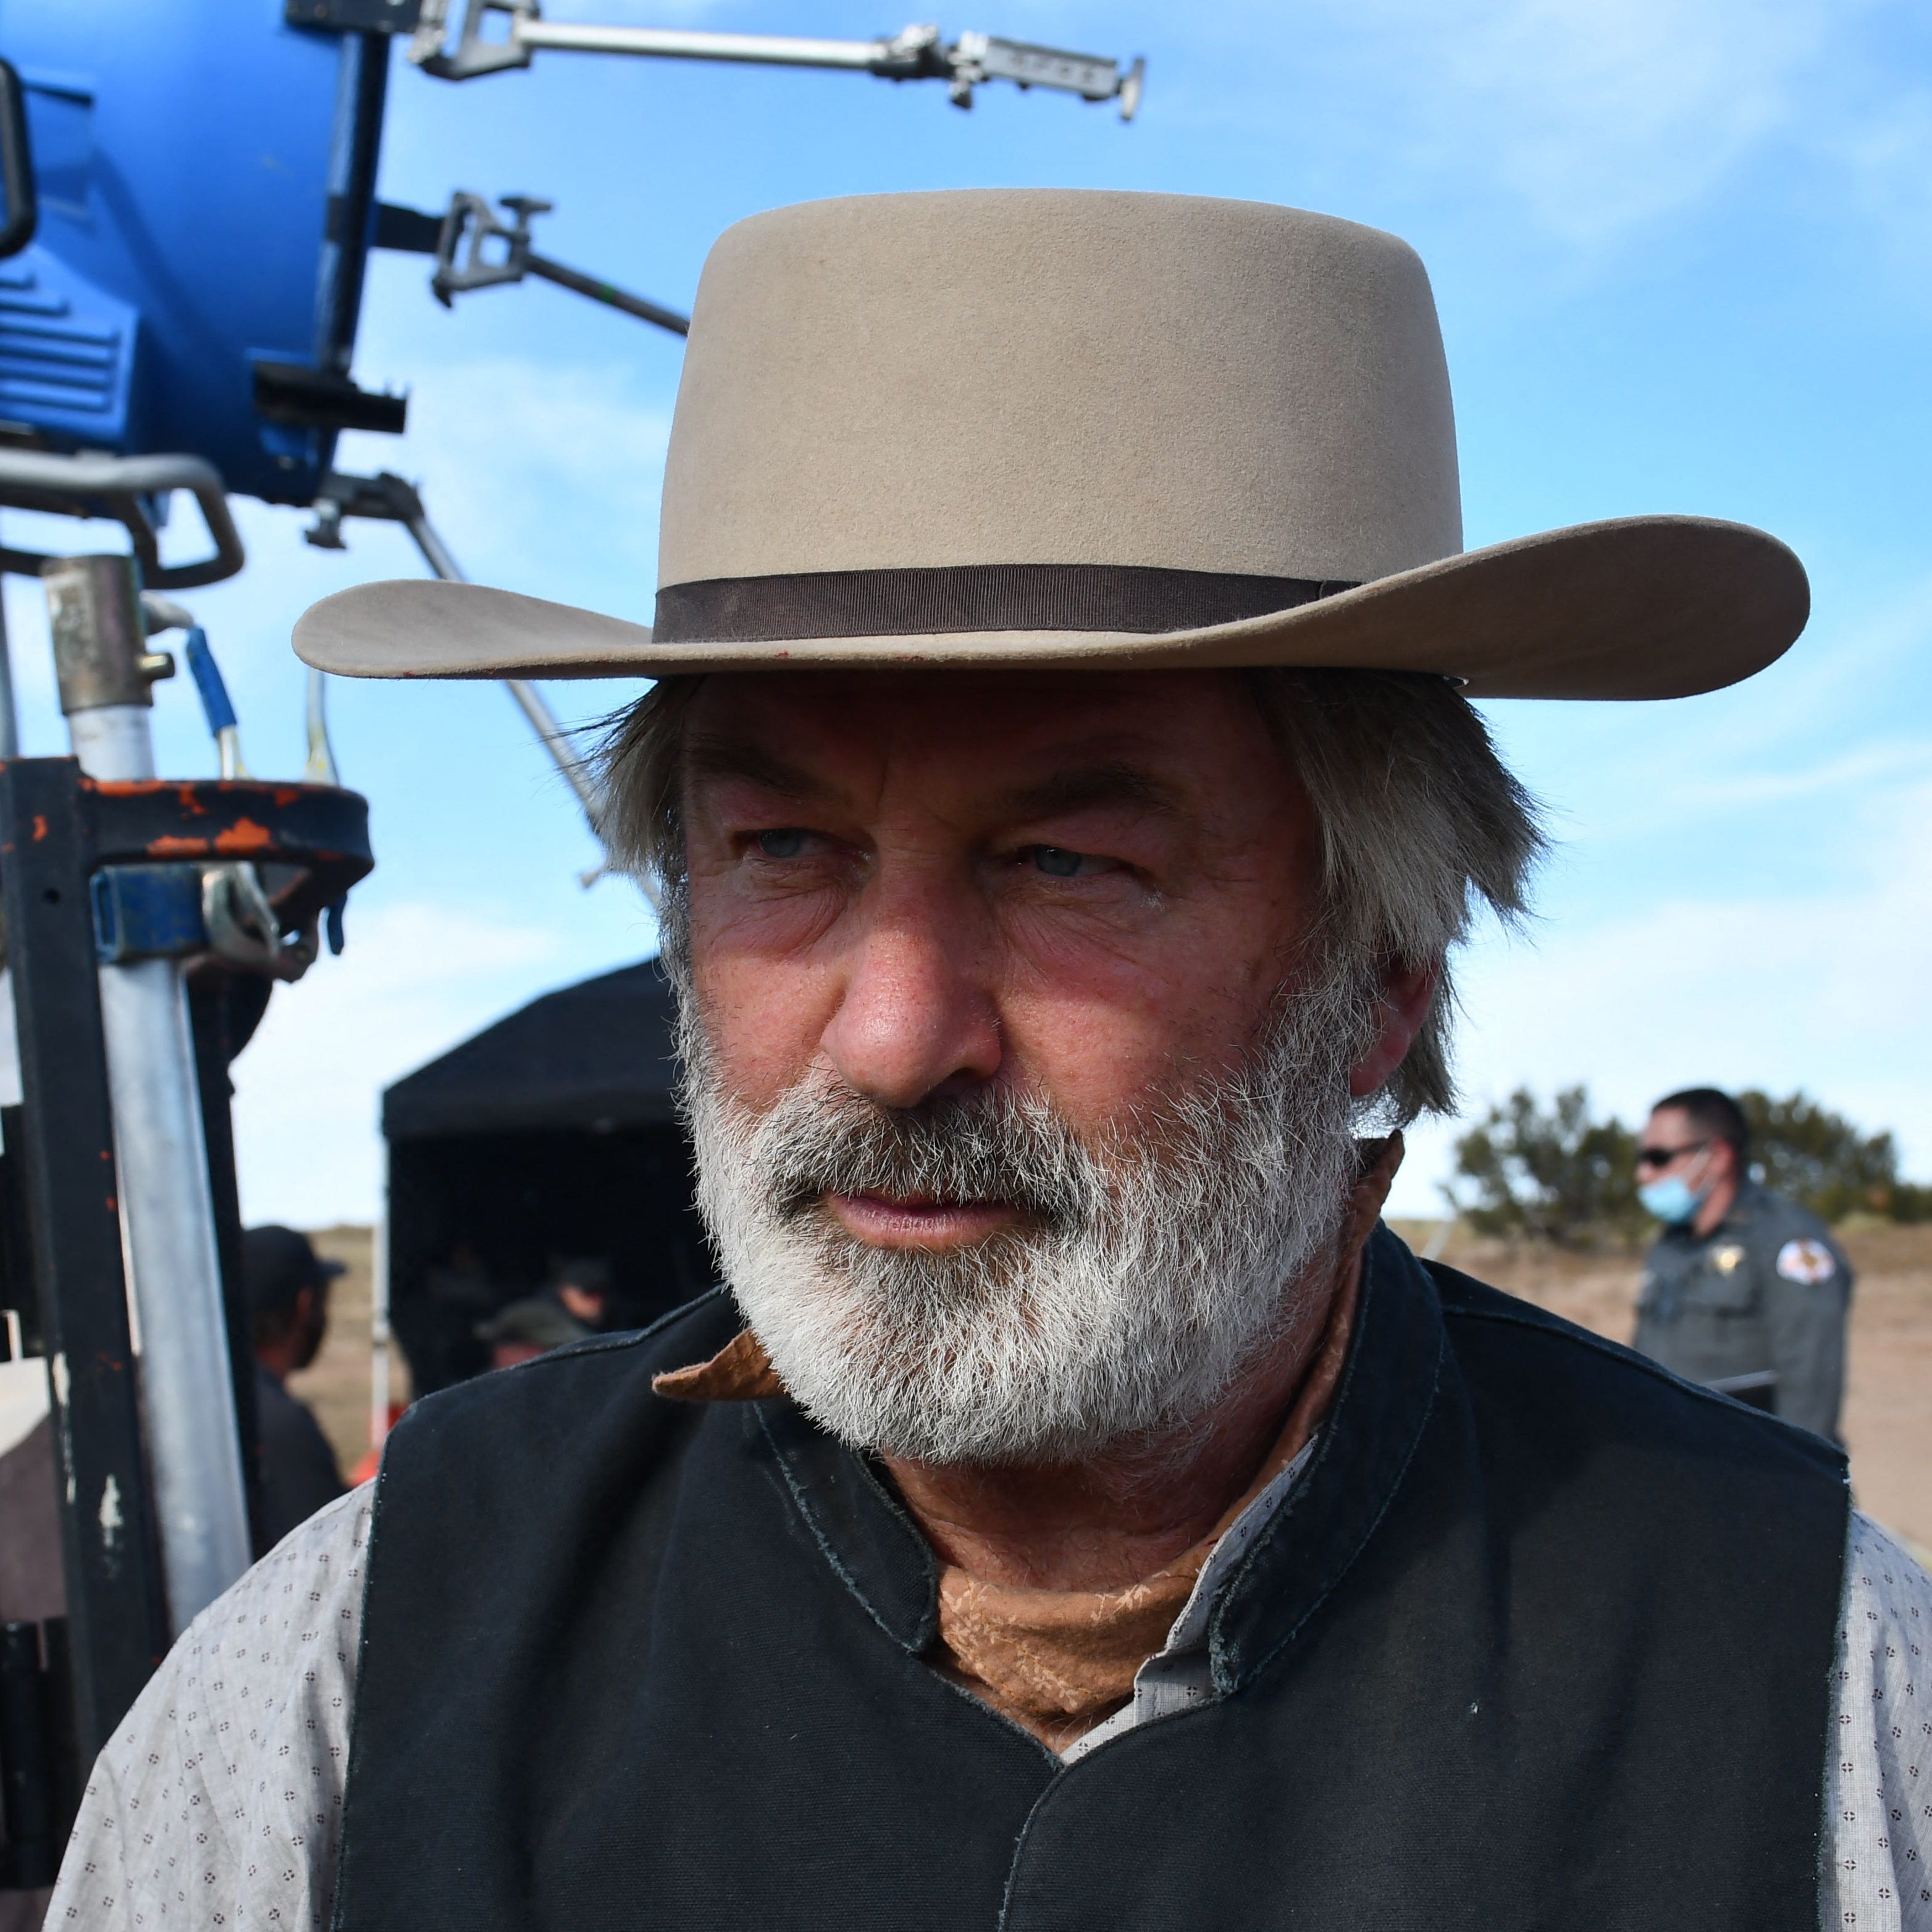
[[1744, 1292]]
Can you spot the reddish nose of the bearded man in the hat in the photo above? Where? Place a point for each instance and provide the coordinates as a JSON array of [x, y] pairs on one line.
[[917, 1015]]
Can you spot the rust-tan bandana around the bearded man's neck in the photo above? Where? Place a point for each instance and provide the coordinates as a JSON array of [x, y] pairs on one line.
[[1062, 1661]]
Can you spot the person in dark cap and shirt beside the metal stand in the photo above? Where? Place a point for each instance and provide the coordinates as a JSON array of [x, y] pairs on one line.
[[289, 1317]]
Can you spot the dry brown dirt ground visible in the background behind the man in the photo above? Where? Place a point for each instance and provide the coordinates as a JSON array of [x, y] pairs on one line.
[[1889, 1404]]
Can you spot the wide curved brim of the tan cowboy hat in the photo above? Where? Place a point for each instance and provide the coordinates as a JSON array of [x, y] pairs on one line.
[[1637, 608]]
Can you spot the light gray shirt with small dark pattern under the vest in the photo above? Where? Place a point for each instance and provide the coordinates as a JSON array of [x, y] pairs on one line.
[[217, 1807]]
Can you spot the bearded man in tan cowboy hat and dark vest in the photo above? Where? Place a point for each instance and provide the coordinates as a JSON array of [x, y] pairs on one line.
[[1075, 1510]]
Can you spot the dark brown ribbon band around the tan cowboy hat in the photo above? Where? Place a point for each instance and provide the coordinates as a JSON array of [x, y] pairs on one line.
[[963, 598]]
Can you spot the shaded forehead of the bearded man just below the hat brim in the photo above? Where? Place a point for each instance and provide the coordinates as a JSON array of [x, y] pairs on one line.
[[1189, 735]]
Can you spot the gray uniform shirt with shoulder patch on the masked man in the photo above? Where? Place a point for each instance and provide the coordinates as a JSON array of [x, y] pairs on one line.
[[1755, 1309]]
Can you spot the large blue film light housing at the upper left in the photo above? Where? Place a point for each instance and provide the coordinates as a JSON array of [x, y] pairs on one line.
[[190, 285]]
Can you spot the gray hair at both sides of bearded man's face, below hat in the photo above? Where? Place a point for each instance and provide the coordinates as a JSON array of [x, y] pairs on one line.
[[1421, 826]]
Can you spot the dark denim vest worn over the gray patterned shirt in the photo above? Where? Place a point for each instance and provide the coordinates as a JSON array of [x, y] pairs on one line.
[[1541, 1639]]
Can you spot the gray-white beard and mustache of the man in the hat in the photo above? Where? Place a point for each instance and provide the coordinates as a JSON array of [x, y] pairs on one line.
[[1147, 1272]]
